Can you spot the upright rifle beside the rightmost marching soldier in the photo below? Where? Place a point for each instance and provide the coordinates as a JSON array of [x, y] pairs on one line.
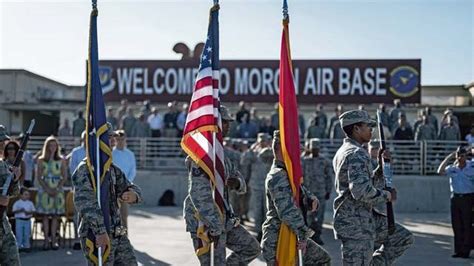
[[387, 174]]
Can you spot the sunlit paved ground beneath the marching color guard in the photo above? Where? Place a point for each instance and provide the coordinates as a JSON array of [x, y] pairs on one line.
[[159, 239]]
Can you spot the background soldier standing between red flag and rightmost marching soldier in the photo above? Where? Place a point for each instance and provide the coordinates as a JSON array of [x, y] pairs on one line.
[[318, 178]]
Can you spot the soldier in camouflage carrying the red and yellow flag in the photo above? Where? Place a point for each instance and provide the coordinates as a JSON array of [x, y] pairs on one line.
[[282, 209]]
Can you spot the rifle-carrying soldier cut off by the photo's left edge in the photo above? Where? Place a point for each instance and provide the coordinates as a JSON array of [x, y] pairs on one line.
[[8, 248]]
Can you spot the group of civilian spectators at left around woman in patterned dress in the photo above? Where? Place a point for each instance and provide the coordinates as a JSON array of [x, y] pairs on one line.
[[46, 176]]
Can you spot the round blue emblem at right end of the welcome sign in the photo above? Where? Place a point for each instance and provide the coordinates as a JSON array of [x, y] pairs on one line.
[[404, 81]]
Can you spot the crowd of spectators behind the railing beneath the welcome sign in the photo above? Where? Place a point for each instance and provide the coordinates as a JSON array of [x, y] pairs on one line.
[[152, 122]]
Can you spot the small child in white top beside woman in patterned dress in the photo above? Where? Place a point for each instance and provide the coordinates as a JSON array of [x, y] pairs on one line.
[[23, 210]]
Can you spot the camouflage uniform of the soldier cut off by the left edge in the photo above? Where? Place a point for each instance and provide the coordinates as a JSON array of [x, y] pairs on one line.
[[8, 248]]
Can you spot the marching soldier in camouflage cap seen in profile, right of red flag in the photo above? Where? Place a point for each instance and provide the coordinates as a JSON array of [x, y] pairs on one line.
[[355, 221]]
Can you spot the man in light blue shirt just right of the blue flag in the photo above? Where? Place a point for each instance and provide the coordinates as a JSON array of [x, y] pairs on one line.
[[124, 159]]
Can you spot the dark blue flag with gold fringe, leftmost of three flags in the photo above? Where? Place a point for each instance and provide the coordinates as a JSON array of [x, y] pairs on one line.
[[98, 152]]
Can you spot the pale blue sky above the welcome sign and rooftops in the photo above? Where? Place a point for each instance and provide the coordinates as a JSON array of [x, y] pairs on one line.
[[50, 38]]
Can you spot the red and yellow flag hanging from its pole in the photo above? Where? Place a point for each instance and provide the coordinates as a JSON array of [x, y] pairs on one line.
[[289, 134]]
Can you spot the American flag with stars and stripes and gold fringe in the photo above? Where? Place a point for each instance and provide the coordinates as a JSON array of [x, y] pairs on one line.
[[202, 136]]
